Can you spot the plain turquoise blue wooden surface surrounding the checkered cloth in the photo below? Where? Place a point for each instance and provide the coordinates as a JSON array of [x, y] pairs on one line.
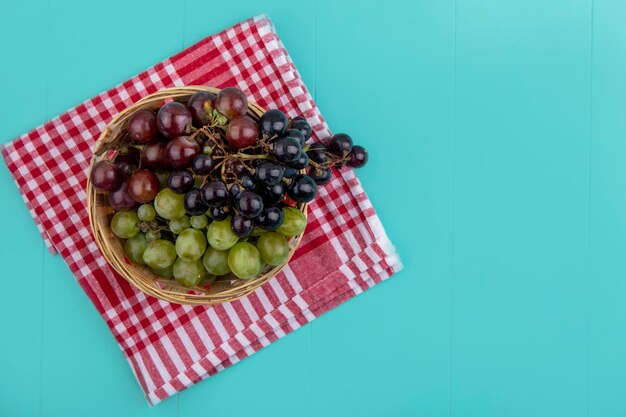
[[497, 130]]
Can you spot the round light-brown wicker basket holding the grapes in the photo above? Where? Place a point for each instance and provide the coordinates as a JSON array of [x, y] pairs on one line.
[[223, 289]]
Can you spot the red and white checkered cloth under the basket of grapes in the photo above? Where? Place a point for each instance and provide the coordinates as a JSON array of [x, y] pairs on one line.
[[170, 347]]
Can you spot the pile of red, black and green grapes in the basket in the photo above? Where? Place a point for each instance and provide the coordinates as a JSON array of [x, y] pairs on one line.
[[201, 189]]
